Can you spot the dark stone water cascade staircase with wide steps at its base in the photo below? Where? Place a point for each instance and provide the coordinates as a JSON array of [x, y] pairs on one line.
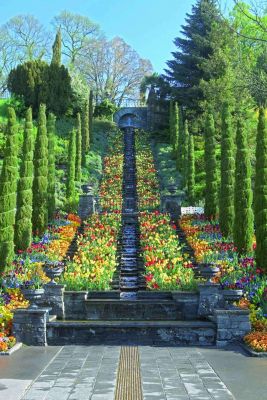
[[128, 313]]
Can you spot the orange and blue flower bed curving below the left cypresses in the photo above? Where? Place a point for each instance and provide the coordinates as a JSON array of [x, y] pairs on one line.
[[27, 270]]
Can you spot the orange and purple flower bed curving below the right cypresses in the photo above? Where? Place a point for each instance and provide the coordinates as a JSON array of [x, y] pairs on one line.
[[235, 272]]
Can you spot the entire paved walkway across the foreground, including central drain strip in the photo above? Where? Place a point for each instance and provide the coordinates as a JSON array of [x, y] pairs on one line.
[[90, 373]]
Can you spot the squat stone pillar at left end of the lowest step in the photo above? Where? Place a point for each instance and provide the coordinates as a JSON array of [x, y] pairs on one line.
[[29, 326]]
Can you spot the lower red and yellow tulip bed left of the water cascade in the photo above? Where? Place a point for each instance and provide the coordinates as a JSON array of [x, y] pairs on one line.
[[94, 264]]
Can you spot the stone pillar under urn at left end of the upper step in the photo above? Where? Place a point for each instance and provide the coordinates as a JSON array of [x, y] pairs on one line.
[[54, 298]]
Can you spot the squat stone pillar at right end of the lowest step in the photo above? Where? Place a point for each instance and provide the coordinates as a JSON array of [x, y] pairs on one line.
[[232, 325]]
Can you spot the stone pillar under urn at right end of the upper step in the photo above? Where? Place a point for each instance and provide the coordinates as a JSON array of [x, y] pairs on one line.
[[210, 298]]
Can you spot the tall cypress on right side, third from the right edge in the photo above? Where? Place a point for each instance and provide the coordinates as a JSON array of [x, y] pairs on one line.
[[226, 215]]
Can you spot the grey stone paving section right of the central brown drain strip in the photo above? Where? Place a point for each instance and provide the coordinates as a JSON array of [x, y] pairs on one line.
[[179, 374]]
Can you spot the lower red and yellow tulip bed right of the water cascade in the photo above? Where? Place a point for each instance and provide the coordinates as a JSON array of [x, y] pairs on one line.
[[166, 267]]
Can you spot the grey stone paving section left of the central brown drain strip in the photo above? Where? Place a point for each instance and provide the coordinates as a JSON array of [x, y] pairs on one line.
[[78, 372]]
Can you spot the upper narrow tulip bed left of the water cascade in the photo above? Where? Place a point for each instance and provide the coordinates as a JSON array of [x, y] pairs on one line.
[[111, 185]]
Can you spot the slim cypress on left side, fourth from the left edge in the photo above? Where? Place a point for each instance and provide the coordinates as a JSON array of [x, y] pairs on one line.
[[51, 190]]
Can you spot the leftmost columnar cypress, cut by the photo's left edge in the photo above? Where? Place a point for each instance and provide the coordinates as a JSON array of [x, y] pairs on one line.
[[8, 188]]
